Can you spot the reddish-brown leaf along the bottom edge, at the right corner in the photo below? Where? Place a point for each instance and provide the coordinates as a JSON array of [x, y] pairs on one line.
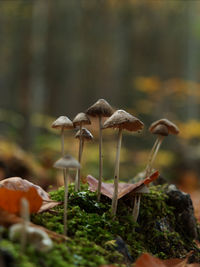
[[146, 260]]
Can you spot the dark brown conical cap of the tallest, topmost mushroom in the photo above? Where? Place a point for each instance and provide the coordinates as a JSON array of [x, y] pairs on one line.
[[100, 108]]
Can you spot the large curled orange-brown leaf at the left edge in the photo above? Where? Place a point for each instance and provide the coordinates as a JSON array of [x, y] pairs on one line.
[[15, 188]]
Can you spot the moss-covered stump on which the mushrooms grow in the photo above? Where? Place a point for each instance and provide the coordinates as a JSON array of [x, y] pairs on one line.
[[96, 239]]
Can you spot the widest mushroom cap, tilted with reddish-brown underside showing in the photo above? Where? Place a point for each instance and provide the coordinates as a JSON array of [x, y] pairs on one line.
[[123, 120]]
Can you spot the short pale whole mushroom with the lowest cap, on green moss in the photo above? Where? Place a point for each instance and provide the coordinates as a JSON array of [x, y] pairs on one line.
[[67, 162]]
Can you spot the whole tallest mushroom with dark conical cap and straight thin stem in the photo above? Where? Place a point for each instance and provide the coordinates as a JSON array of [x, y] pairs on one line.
[[100, 109]]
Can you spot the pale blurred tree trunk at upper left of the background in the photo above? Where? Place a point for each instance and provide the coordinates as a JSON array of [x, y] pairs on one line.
[[37, 90]]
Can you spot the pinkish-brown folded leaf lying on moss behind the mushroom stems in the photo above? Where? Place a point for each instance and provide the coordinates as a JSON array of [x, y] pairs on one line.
[[107, 189]]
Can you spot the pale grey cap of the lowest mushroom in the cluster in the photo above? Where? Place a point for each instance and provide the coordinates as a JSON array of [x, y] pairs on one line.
[[67, 162]]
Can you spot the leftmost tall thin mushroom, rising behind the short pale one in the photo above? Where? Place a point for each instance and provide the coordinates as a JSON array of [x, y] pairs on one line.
[[62, 123]]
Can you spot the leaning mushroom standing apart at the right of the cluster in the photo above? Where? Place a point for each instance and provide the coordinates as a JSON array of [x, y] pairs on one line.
[[162, 128]]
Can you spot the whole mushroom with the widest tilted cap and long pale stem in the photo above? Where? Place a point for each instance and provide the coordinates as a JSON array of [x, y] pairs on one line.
[[121, 120]]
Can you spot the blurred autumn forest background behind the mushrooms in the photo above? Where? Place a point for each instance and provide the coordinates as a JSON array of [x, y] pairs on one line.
[[59, 57]]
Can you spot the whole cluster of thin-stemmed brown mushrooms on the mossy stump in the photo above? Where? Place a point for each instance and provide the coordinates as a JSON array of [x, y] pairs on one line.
[[118, 119]]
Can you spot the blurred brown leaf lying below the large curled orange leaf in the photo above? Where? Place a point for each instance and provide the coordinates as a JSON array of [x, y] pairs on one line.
[[7, 219]]
